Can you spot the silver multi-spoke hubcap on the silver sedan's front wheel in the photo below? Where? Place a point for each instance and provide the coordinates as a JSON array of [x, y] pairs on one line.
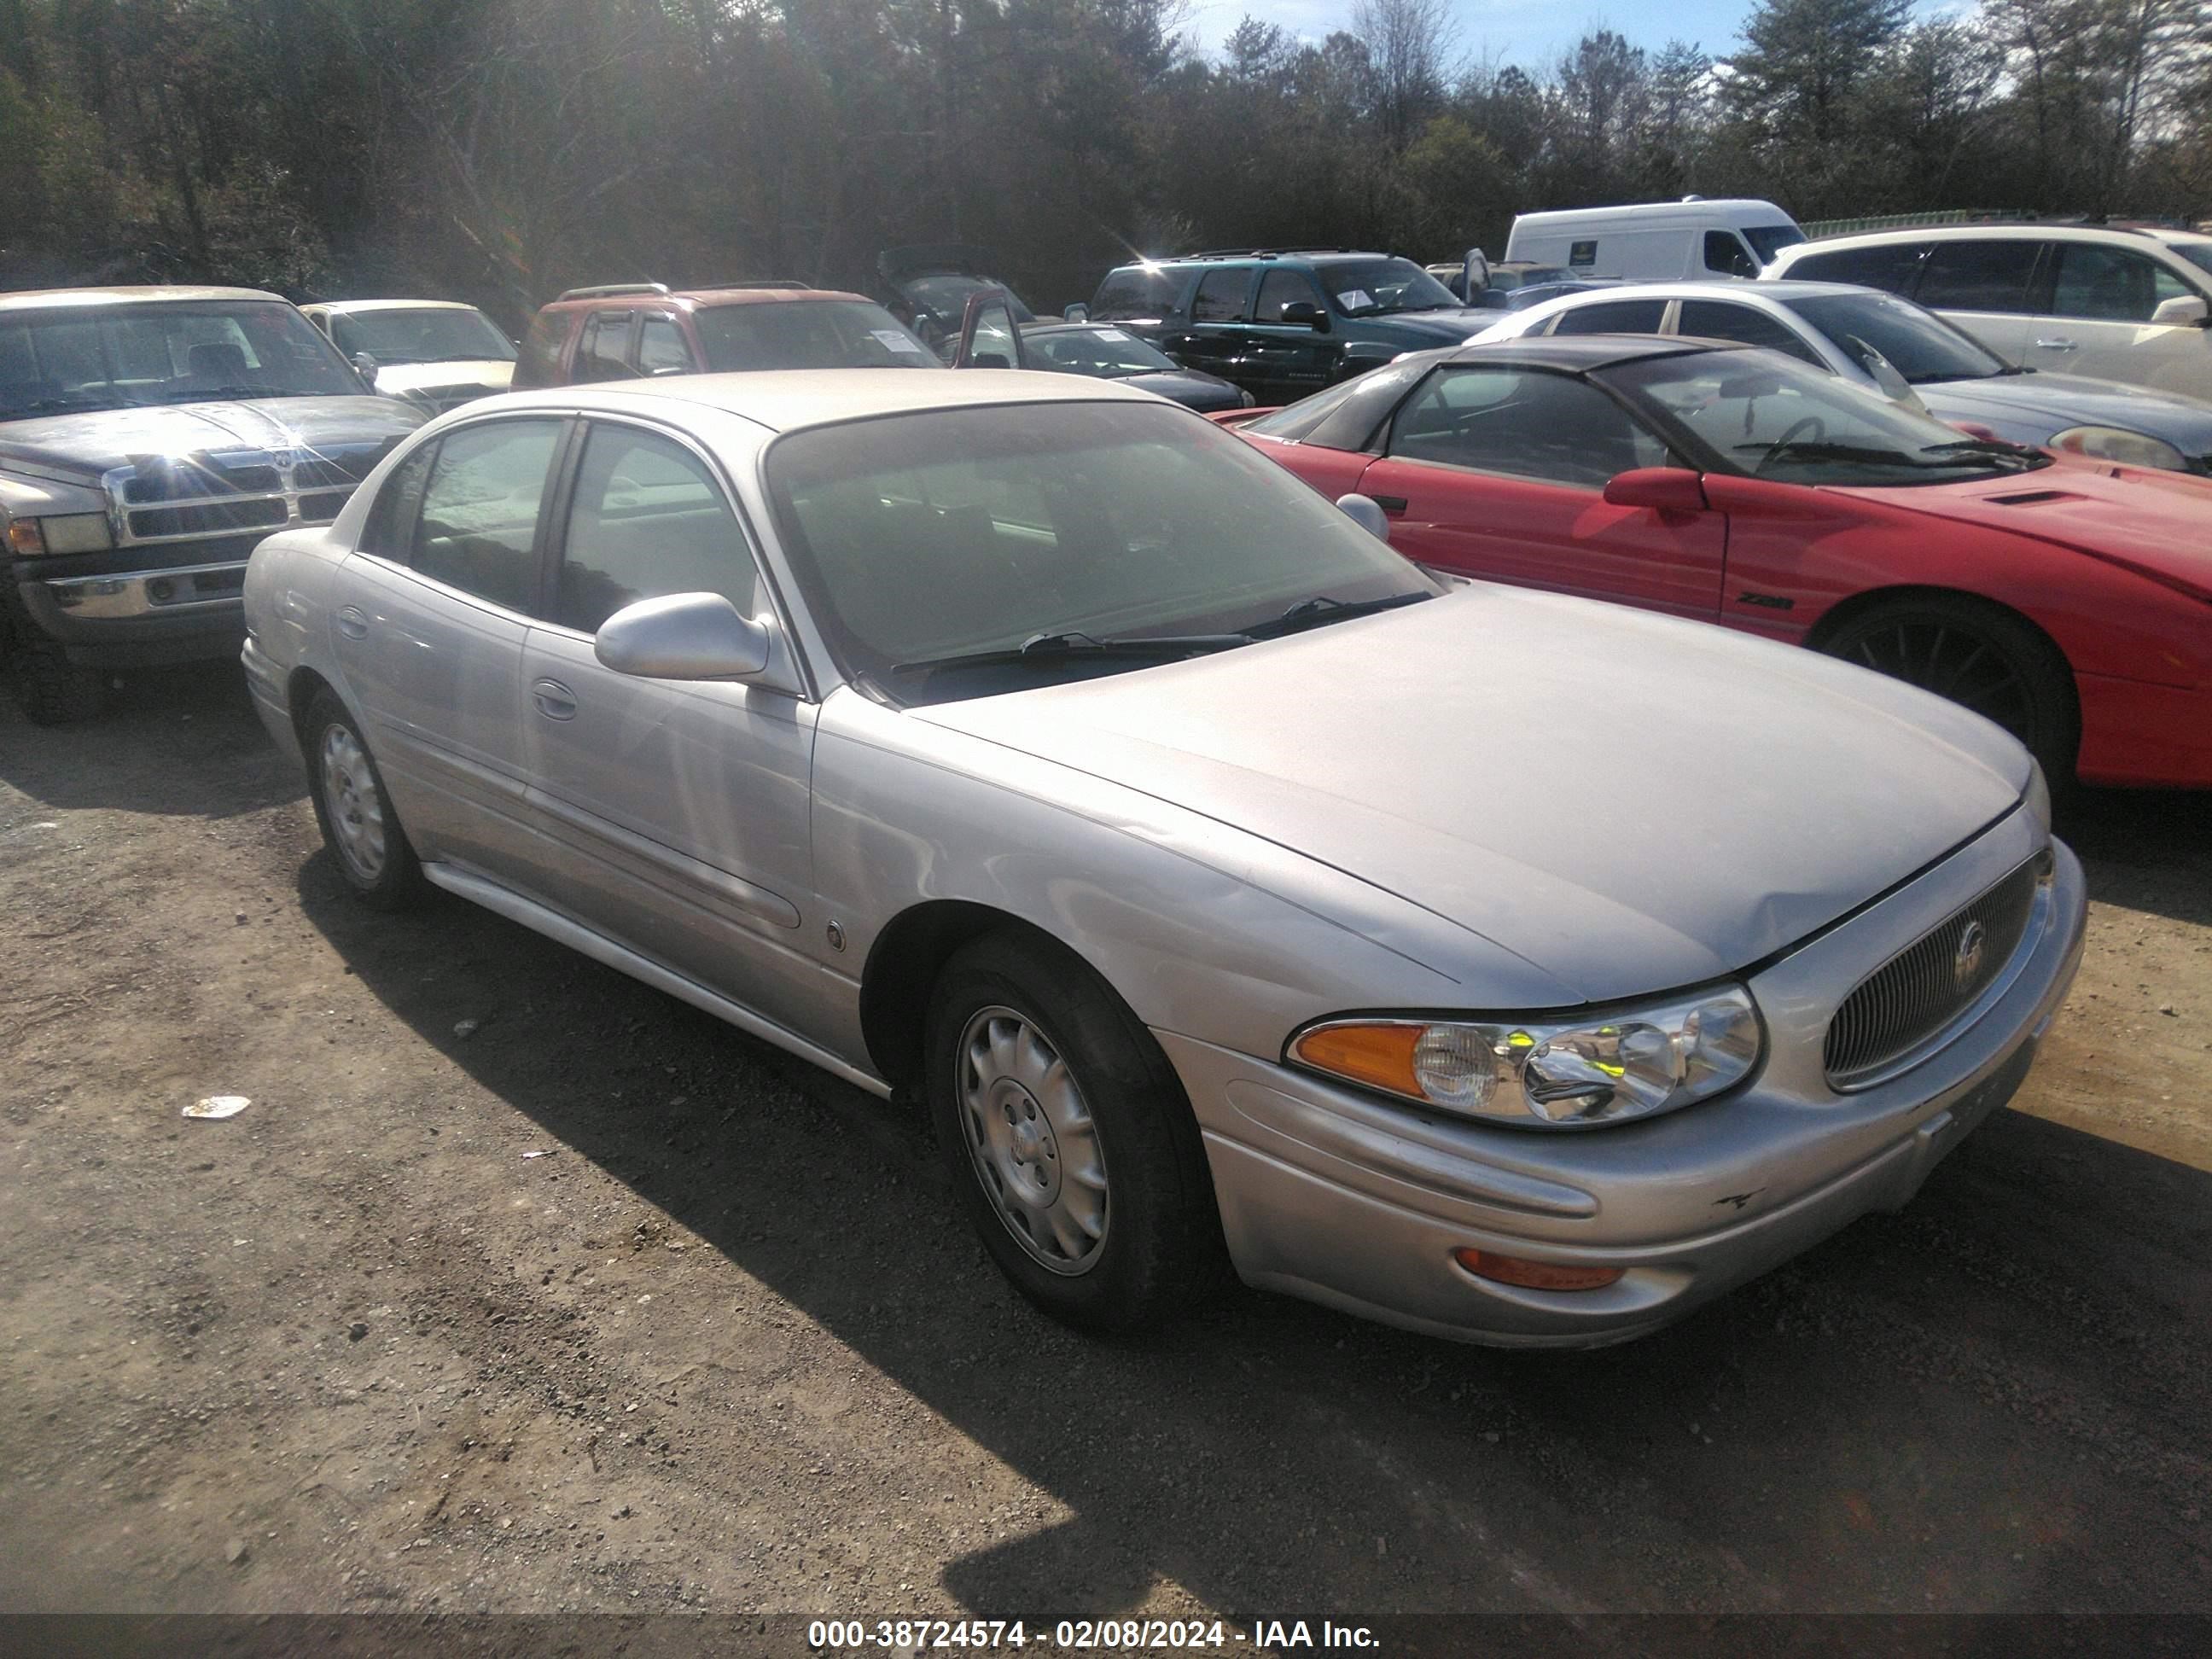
[[1032, 1140]]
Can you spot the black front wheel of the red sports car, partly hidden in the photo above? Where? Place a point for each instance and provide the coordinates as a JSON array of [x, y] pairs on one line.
[[1983, 658]]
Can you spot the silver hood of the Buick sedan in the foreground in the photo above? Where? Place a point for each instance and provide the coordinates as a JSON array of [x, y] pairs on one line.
[[1627, 802]]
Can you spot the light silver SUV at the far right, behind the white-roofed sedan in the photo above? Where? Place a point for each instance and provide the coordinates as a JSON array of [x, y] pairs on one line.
[[2085, 300]]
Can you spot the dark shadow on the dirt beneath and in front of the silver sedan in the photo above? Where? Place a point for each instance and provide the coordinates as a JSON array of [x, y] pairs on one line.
[[1994, 1399]]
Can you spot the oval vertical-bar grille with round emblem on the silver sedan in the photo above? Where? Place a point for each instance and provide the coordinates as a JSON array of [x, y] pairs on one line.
[[1919, 992]]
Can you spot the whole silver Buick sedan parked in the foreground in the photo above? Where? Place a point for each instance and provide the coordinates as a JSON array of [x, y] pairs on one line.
[[1492, 963]]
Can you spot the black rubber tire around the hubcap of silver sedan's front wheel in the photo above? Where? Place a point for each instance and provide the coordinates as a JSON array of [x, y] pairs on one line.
[[1160, 1242]]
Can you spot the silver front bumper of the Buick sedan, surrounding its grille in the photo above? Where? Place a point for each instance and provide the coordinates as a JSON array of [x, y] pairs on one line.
[[1348, 1200]]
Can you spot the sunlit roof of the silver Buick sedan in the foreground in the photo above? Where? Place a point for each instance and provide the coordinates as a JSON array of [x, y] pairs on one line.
[[793, 399]]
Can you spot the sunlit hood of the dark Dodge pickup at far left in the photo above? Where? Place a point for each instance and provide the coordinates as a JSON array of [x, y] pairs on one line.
[[87, 446]]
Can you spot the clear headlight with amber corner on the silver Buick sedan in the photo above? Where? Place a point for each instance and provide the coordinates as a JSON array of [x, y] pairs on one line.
[[1550, 1074]]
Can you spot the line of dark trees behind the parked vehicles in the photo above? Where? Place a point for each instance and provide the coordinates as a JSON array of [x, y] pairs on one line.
[[505, 149]]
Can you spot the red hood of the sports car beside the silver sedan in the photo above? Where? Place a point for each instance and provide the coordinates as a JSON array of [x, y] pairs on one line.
[[2140, 519]]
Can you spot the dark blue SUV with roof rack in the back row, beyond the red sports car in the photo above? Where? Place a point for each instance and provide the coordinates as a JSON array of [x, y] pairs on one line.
[[1286, 322]]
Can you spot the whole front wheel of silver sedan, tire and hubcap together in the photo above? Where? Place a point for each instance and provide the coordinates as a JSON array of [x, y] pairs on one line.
[[1070, 1138]]
